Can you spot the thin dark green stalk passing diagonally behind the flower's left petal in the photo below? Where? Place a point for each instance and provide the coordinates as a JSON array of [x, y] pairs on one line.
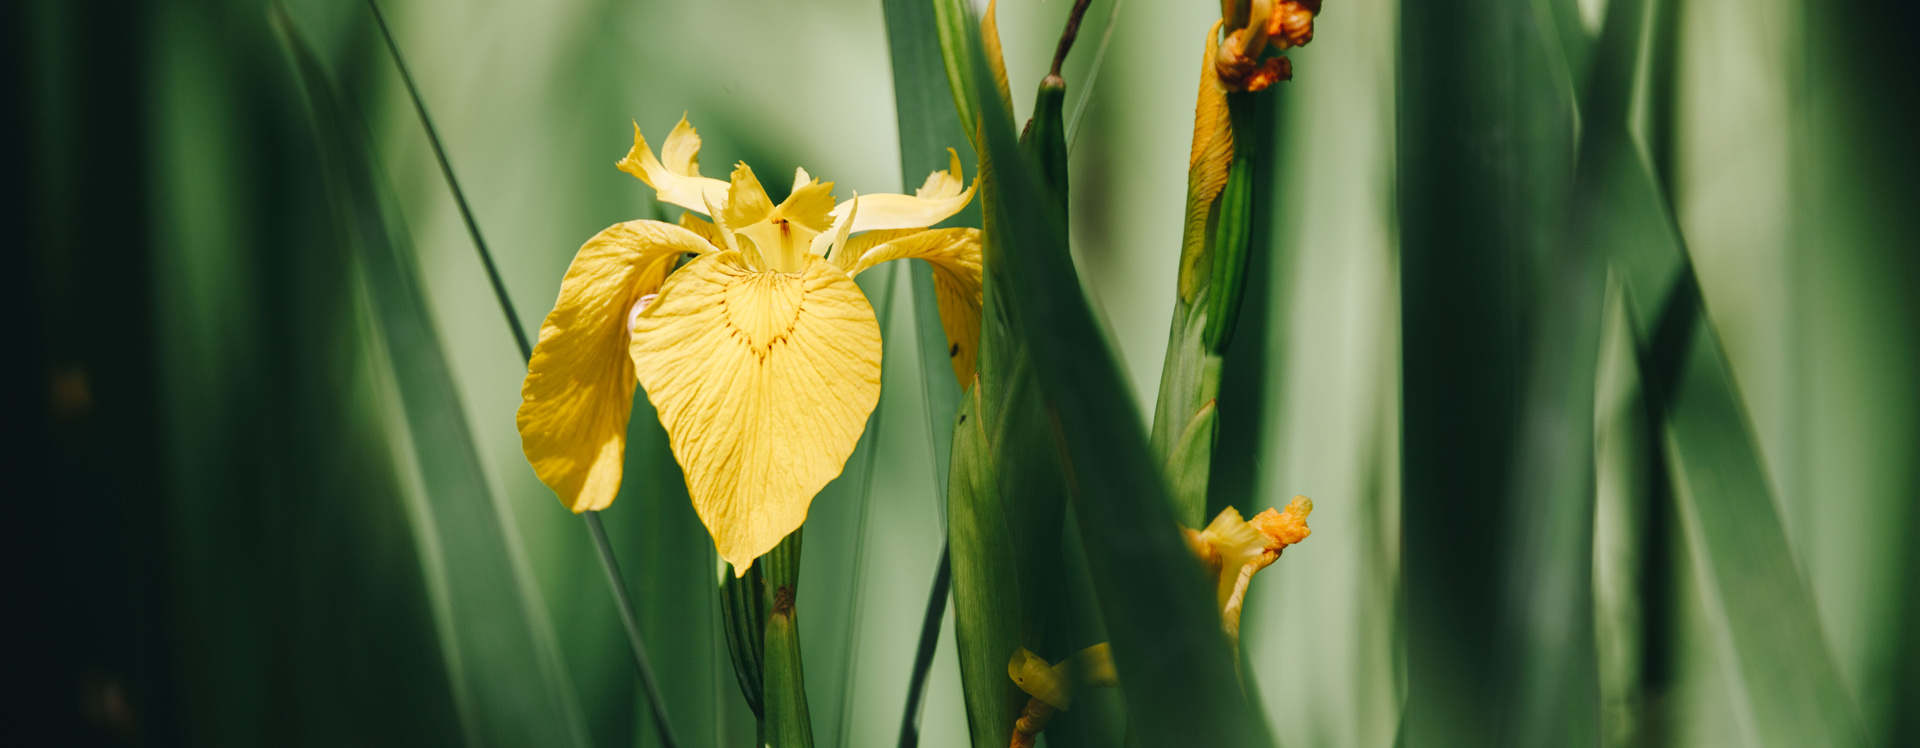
[[527, 352]]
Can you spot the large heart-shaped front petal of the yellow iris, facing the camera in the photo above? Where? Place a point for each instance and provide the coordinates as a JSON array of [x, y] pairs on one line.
[[765, 383]]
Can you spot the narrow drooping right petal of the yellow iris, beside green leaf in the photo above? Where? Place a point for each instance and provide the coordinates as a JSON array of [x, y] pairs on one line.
[[957, 264]]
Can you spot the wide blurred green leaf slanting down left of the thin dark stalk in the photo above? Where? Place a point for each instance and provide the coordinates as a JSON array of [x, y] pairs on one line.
[[504, 663]]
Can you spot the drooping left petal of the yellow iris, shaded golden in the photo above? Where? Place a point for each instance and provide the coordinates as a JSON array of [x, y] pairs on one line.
[[581, 385]]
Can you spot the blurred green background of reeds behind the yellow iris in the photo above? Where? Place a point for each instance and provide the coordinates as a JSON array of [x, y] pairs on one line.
[[218, 526]]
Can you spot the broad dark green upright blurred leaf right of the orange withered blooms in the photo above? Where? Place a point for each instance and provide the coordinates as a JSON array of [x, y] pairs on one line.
[[1487, 166]]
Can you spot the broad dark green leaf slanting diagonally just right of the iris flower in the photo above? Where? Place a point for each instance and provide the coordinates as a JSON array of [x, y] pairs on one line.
[[1170, 653]]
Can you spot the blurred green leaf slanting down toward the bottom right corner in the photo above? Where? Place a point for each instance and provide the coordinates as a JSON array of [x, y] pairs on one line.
[[1752, 578]]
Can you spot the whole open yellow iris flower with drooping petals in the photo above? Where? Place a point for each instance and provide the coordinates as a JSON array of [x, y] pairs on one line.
[[759, 354]]
